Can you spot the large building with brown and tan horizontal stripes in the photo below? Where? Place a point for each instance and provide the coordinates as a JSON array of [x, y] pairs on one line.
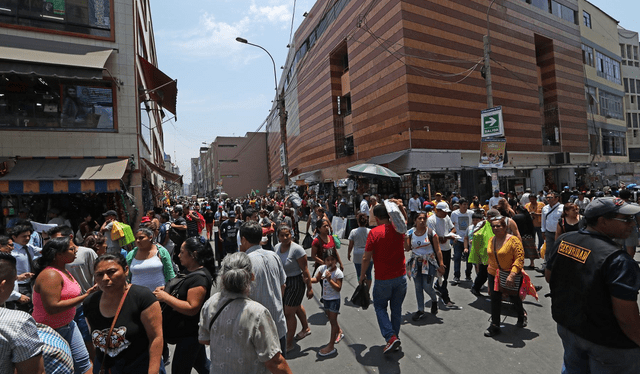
[[400, 83]]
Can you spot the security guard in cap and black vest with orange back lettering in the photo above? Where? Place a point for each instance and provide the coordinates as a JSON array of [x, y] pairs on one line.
[[594, 290]]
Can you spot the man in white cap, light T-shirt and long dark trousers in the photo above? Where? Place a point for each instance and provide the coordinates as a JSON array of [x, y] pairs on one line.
[[442, 225]]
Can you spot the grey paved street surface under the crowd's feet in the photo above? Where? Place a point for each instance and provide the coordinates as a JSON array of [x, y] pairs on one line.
[[451, 342]]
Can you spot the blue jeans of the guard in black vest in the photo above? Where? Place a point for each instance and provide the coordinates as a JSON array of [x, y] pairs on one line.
[[584, 357]]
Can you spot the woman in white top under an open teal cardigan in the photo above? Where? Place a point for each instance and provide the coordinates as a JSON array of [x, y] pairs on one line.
[[149, 263]]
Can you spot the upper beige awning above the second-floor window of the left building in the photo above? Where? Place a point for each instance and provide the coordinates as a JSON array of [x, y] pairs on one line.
[[49, 58]]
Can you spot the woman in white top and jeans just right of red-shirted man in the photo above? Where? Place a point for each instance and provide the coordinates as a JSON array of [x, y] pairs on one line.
[[426, 259]]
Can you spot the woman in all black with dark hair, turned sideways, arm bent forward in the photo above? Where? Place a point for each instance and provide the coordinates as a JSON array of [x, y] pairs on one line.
[[183, 298]]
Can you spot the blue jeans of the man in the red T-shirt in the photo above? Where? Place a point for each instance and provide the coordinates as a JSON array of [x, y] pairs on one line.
[[389, 291]]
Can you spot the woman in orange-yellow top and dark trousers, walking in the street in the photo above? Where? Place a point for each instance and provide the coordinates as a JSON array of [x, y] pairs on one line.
[[508, 250]]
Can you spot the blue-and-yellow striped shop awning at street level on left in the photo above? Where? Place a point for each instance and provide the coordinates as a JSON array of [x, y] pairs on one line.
[[64, 175]]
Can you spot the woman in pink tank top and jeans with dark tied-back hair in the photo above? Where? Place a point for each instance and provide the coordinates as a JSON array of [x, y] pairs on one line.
[[55, 297]]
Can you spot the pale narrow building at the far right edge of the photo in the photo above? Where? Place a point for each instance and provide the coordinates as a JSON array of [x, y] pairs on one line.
[[631, 79]]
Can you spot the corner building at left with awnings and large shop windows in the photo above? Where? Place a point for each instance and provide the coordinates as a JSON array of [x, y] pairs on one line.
[[81, 107]]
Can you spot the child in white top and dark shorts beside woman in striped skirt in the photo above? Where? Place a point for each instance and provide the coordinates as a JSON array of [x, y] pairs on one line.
[[331, 276]]
